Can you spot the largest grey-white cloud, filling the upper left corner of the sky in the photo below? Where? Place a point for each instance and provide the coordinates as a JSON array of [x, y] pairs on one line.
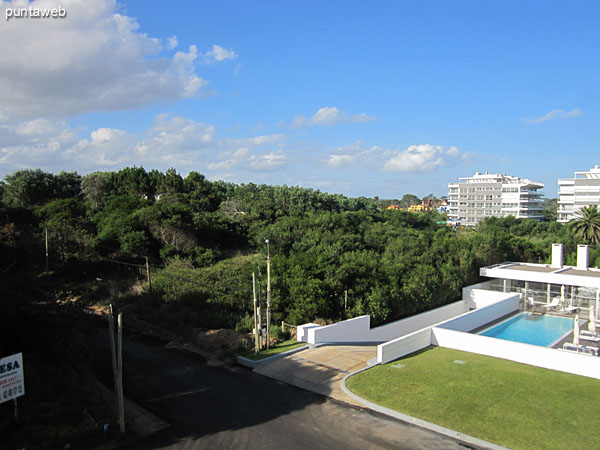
[[94, 59]]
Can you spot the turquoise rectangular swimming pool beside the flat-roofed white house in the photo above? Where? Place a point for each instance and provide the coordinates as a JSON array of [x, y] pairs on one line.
[[530, 328]]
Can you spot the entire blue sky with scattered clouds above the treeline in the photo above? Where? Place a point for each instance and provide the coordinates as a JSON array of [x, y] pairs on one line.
[[361, 98]]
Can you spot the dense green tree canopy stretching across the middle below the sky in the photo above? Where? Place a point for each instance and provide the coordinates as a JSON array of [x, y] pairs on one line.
[[204, 239]]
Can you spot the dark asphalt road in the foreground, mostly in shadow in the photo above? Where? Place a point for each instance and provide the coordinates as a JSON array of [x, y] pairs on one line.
[[221, 407]]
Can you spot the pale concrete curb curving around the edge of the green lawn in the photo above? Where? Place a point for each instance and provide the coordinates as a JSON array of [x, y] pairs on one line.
[[416, 421]]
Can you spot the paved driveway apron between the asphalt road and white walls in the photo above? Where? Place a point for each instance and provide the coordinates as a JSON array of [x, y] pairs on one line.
[[321, 369]]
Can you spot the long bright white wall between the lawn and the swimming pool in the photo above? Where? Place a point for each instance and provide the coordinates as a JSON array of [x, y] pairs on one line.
[[533, 355]]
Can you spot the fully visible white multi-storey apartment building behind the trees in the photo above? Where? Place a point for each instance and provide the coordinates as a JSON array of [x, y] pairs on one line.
[[474, 198]]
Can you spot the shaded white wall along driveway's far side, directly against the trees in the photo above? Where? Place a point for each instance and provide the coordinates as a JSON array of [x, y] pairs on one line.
[[358, 330]]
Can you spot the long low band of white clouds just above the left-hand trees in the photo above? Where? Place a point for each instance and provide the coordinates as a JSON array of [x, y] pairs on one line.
[[172, 141]]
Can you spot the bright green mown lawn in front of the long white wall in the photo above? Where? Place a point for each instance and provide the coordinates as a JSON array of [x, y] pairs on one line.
[[511, 404]]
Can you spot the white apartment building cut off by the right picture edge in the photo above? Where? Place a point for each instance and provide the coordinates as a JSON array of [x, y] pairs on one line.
[[578, 192]]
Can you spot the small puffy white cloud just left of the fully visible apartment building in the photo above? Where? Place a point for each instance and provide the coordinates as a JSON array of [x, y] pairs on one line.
[[421, 158]]
